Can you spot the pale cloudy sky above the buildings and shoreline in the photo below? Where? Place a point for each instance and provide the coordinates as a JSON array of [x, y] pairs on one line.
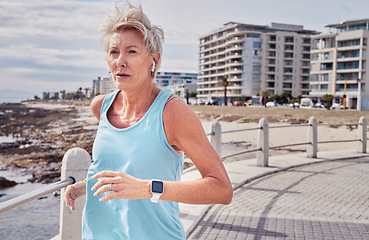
[[51, 45]]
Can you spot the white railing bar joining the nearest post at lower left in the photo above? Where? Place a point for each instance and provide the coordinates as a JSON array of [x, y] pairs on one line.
[[28, 197]]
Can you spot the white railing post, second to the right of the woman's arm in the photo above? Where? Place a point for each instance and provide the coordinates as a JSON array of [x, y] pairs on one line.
[[263, 143]]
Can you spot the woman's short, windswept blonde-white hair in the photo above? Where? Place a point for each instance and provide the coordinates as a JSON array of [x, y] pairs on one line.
[[127, 17]]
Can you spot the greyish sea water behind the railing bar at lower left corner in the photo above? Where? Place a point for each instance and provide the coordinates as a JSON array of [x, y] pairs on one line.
[[38, 219]]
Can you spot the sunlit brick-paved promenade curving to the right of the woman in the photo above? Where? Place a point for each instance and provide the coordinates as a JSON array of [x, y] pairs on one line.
[[325, 200]]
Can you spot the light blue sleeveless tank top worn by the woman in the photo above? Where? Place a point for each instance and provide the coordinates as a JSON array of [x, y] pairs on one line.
[[143, 151]]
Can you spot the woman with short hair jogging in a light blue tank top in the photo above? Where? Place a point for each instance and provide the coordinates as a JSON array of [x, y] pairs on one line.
[[133, 185]]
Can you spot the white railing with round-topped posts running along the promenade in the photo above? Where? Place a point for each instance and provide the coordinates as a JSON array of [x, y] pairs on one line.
[[76, 162]]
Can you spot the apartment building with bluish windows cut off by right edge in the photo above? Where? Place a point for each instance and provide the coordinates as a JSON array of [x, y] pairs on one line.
[[339, 64]]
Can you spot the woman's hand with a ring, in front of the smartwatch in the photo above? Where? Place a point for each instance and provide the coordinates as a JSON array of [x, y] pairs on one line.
[[120, 185]]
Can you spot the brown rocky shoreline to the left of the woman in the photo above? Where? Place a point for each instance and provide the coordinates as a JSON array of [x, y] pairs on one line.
[[38, 135]]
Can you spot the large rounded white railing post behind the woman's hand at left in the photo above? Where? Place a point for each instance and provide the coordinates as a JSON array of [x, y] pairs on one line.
[[76, 162]]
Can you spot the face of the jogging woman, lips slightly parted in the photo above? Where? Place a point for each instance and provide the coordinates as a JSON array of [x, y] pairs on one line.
[[129, 62]]
